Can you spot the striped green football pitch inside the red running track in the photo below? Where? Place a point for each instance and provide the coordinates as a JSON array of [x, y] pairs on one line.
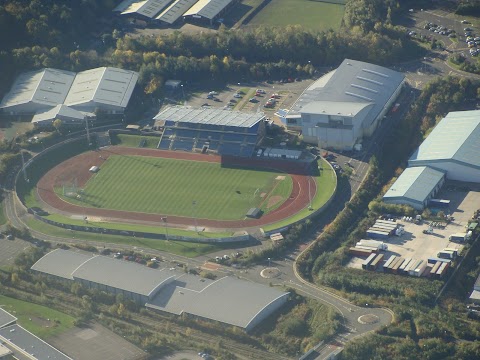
[[184, 188]]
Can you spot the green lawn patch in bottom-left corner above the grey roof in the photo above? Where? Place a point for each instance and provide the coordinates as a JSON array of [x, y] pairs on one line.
[[40, 320]]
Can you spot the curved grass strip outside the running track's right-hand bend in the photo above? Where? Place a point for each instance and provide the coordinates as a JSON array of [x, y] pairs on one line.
[[326, 183]]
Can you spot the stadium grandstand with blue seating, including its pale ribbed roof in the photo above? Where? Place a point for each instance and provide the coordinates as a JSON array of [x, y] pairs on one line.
[[217, 131]]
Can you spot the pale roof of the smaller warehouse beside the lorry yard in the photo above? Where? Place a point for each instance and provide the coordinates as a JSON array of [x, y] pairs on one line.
[[415, 183]]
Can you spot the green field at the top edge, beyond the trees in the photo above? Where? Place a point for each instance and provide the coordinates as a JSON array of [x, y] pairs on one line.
[[313, 15]]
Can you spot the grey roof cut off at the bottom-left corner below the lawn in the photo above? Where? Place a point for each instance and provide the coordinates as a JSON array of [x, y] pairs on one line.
[[30, 344]]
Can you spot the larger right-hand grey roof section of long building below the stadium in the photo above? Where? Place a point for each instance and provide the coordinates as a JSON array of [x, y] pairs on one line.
[[228, 300]]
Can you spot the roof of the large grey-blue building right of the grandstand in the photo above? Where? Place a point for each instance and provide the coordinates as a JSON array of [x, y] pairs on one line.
[[352, 82]]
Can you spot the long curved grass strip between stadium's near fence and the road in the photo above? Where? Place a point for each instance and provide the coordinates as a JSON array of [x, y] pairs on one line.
[[183, 248]]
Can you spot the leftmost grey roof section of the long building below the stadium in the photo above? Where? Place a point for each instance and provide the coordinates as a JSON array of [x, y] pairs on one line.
[[61, 263]]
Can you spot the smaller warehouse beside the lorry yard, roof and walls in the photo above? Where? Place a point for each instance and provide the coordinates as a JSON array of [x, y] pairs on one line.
[[415, 186]]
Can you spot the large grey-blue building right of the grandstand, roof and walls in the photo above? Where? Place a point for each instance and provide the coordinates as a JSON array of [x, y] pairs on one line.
[[345, 105]]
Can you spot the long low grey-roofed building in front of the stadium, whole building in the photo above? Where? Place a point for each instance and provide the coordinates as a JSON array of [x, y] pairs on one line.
[[227, 300]]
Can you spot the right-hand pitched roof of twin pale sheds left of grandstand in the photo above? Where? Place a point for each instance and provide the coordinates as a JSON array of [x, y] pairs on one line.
[[105, 85]]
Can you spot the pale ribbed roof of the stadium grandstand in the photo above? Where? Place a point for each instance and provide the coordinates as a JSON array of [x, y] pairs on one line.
[[210, 116]]
